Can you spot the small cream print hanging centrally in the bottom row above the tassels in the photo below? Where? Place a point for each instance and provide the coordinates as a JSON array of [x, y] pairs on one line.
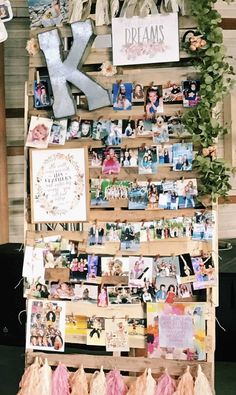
[[116, 334]]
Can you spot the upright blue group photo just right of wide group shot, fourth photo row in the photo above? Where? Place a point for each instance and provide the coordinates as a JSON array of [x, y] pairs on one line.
[[138, 196]]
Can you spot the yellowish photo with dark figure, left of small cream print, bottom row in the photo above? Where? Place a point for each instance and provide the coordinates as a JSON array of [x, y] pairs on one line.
[[96, 331]]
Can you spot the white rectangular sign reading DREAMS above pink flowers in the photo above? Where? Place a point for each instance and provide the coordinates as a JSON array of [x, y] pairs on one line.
[[153, 39]]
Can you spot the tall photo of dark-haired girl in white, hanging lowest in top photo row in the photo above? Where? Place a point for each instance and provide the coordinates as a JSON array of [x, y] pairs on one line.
[[153, 101]]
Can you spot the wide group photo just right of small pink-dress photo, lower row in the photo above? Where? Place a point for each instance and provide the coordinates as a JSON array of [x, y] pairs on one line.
[[123, 295]]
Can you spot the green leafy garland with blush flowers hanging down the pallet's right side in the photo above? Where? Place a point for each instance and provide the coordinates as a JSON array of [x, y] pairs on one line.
[[202, 121]]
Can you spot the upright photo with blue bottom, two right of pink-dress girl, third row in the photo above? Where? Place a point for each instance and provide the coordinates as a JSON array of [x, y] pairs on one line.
[[147, 160]]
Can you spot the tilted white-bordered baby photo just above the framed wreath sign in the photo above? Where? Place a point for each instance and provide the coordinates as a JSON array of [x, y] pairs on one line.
[[39, 132]]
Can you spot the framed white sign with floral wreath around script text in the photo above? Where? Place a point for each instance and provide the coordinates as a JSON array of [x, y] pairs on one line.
[[58, 185]]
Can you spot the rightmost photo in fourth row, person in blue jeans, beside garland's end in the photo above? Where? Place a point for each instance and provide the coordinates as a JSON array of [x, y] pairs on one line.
[[187, 192]]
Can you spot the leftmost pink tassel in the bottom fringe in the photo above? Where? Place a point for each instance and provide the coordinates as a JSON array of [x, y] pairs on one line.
[[60, 383]]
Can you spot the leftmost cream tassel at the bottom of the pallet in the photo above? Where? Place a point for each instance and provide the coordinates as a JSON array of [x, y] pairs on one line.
[[30, 380]]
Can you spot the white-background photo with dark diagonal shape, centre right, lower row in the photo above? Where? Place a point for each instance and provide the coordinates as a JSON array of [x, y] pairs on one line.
[[140, 270]]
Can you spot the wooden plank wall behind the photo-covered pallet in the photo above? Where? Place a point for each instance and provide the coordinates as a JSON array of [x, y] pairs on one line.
[[16, 73]]
